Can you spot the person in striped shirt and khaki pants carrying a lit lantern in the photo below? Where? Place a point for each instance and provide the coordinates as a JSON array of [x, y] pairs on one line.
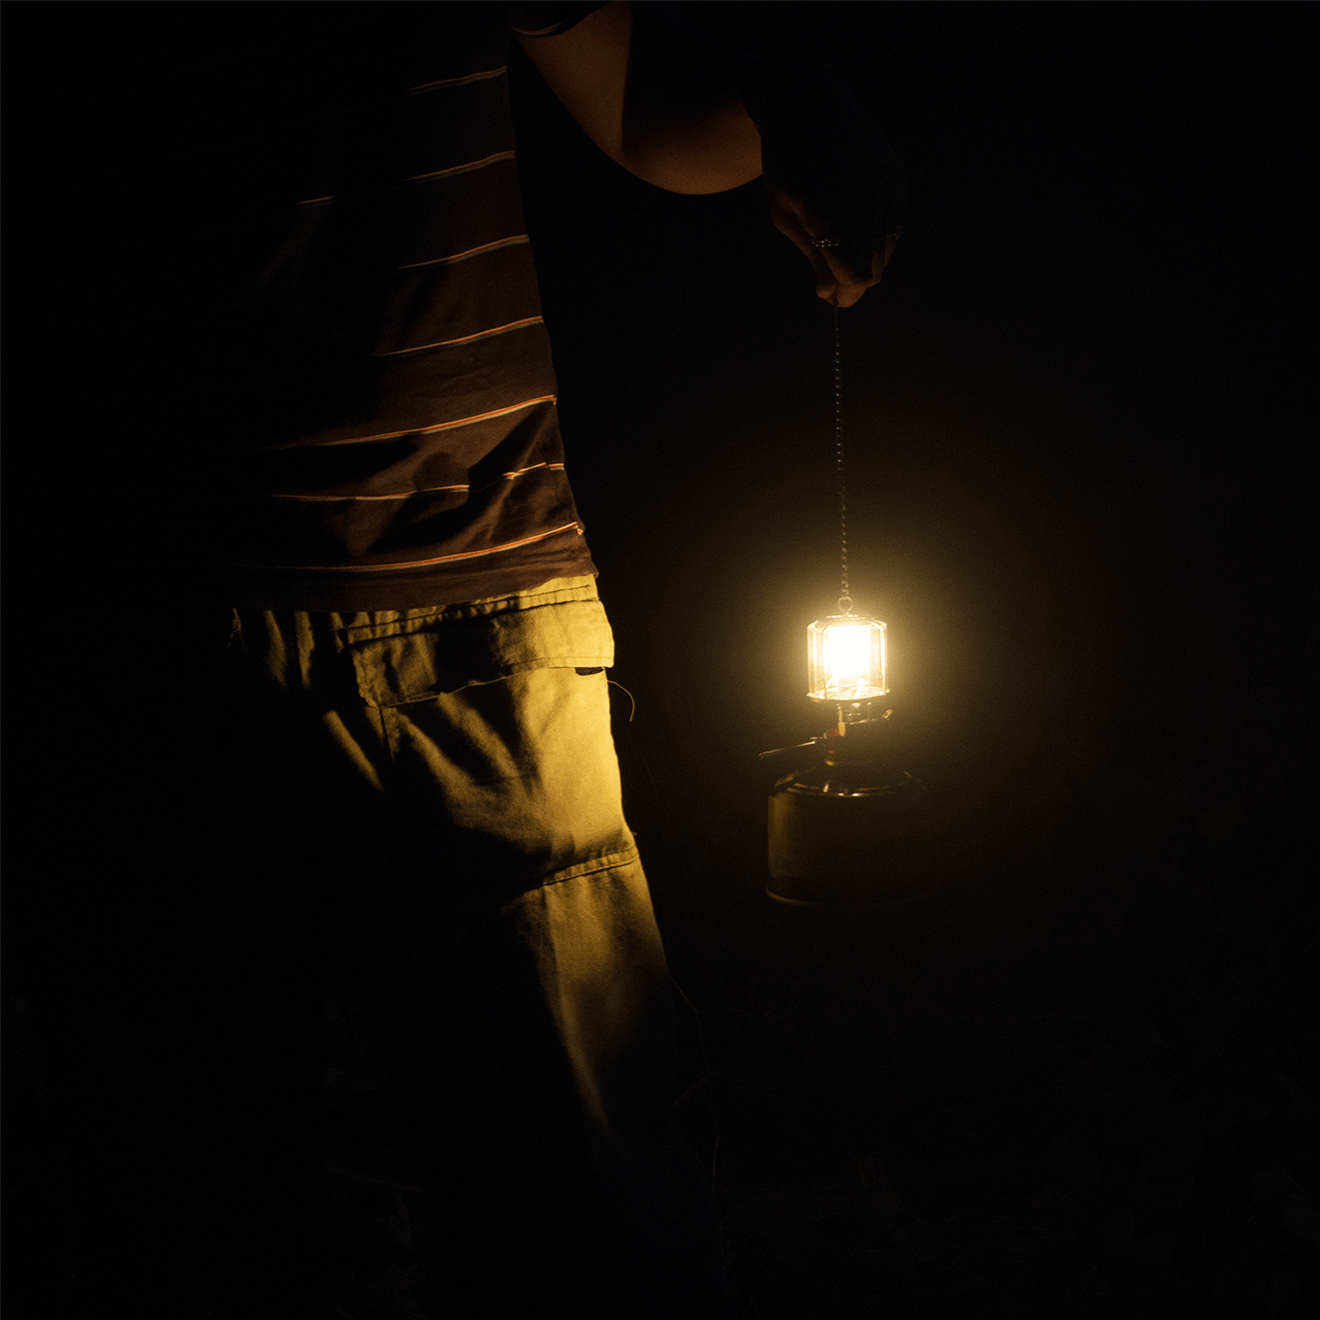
[[420, 1043]]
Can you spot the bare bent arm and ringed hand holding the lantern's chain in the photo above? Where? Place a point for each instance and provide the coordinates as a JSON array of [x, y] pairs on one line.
[[673, 112]]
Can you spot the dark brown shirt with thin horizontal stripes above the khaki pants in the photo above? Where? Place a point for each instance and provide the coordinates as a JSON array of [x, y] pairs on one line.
[[378, 374]]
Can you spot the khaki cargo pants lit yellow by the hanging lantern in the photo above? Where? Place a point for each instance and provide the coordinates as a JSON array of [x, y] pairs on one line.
[[431, 1065]]
